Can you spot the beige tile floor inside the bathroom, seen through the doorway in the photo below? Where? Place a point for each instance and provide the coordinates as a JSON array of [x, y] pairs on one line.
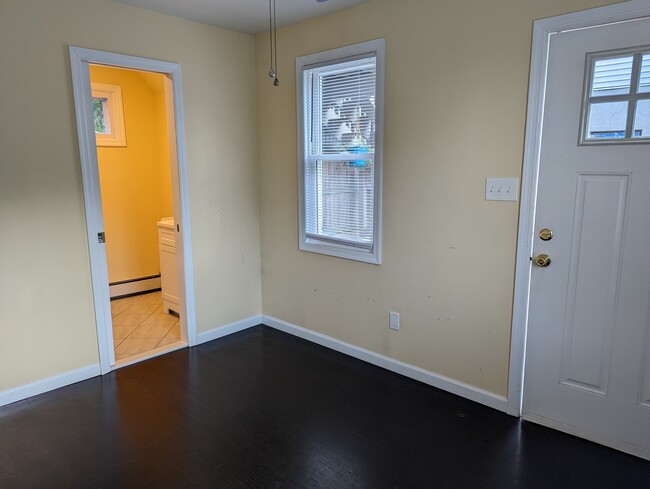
[[140, 325]]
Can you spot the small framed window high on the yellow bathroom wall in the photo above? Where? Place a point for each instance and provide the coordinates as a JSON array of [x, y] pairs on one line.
[[108, 115]]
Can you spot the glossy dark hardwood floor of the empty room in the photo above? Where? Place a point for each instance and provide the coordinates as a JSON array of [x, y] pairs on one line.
[[262, 409]]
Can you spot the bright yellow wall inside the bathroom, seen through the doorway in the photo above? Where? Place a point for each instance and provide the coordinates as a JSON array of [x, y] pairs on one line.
[[133, 178]]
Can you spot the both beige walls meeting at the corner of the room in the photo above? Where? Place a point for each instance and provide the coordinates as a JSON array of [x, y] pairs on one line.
[[456, 86]]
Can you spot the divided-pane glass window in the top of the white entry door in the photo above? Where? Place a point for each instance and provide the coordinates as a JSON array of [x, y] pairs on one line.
[[617, 97]]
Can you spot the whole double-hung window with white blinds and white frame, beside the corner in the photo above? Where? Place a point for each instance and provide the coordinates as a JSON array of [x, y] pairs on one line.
[[340, 151]]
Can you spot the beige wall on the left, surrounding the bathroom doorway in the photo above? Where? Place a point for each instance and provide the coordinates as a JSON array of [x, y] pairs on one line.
[[47, 323]]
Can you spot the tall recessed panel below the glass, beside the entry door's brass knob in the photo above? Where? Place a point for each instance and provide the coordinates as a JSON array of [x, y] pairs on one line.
[[593, 280]]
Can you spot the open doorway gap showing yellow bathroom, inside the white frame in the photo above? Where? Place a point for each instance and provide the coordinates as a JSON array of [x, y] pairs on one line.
[[130, 116]]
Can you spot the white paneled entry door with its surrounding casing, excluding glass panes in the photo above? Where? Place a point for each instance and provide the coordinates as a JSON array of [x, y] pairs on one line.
[[587, 356]]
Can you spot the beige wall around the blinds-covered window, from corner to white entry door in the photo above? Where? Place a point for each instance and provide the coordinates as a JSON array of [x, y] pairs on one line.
[[455, 106]]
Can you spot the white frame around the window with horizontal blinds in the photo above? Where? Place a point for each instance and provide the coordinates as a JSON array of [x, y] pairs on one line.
[[334, 56]]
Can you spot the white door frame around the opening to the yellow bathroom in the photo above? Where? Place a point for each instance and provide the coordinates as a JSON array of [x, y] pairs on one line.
[[80, 58]]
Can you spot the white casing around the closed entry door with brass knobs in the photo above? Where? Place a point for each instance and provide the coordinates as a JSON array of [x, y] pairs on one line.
[[542, 31]]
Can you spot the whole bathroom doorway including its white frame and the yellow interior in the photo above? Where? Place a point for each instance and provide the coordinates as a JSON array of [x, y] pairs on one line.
[[131, 138]]
